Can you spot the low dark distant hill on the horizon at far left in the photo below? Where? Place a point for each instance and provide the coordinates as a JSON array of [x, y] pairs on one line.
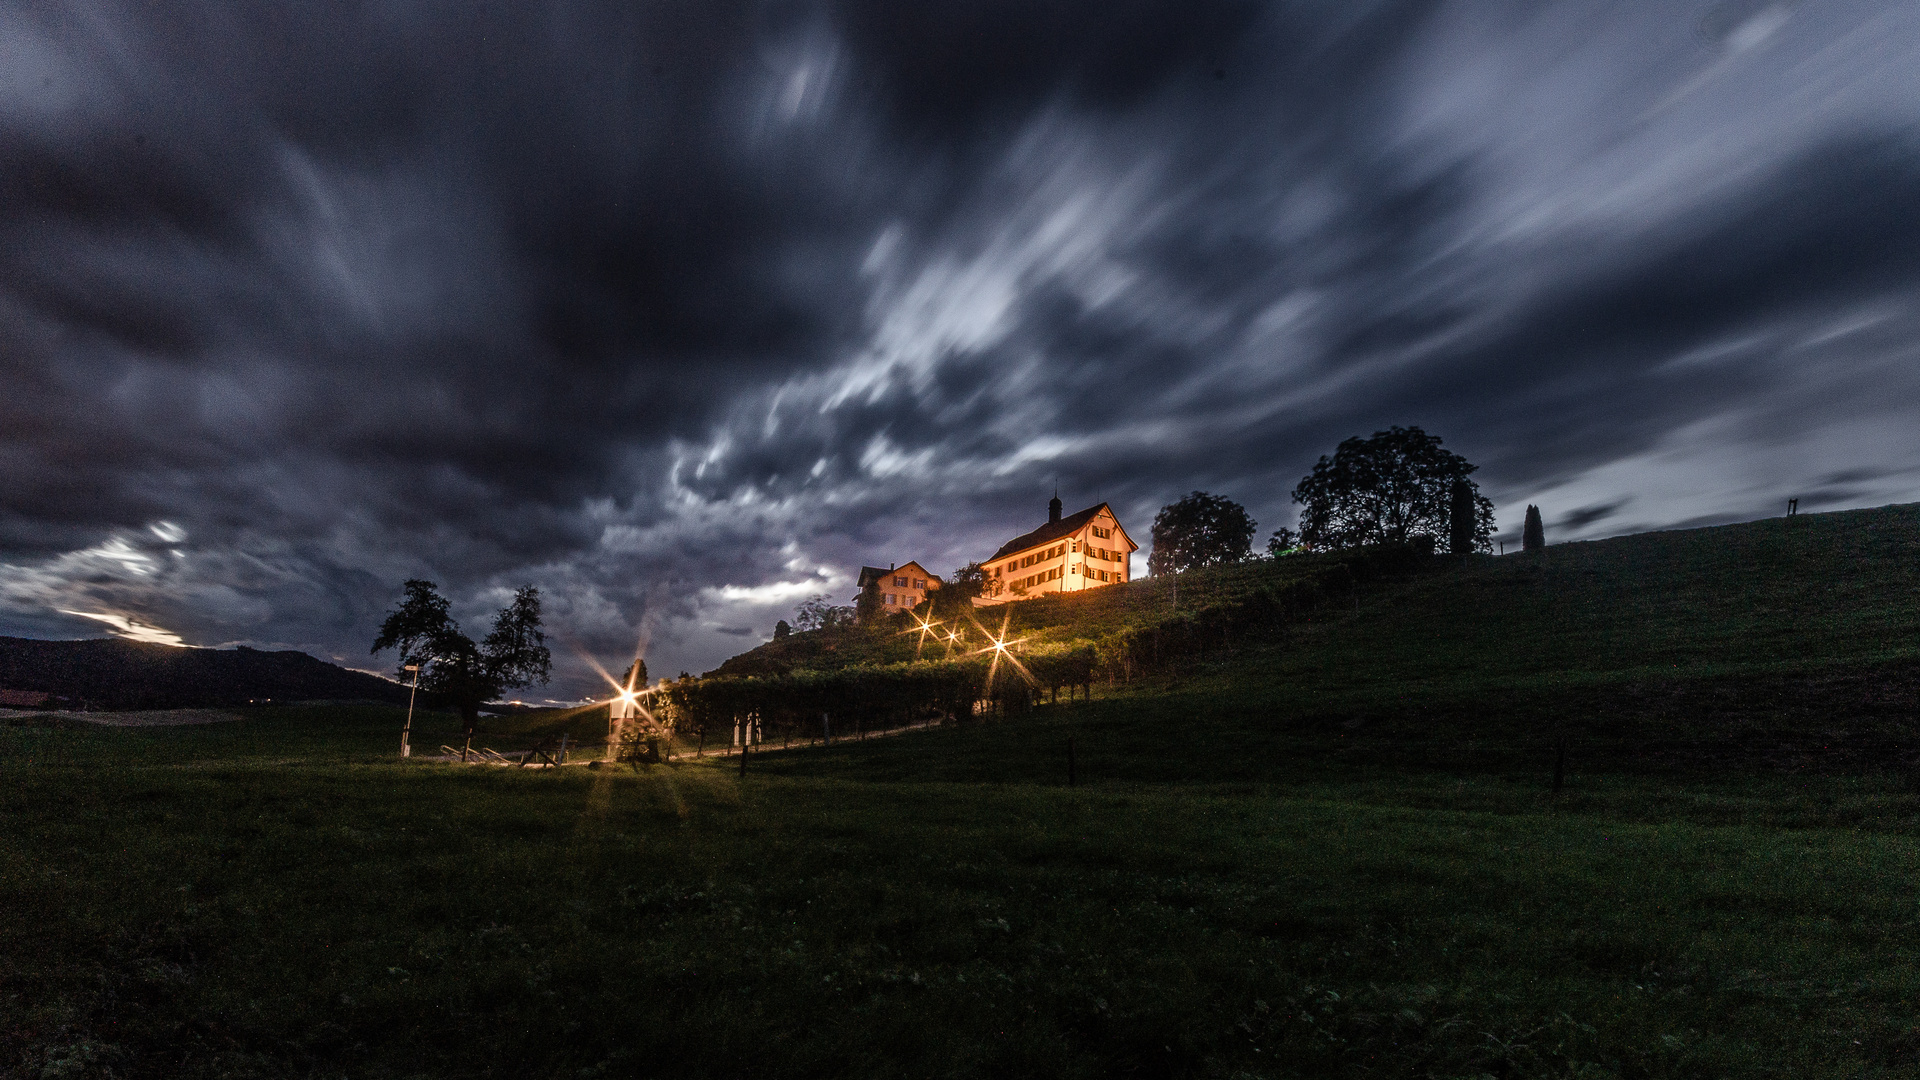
[[133, 675]]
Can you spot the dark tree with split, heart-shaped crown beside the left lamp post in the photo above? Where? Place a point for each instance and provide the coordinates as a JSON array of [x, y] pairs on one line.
[[425, 633]]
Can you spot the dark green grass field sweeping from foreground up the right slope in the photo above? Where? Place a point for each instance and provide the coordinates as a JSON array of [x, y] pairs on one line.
[[1328, 856]]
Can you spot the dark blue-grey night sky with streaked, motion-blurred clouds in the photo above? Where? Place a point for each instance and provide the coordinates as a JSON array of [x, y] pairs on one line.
[[686, 310]]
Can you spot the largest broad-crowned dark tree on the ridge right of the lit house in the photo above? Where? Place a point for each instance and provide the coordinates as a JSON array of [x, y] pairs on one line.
[[1389, 489]]
